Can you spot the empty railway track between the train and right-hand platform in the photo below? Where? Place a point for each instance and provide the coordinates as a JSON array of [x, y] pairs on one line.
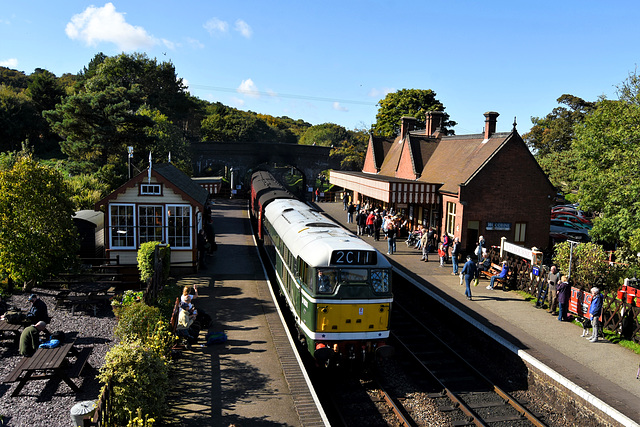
[[467, 395]]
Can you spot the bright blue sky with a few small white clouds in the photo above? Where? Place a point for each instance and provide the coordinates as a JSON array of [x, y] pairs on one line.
[[332, 61]]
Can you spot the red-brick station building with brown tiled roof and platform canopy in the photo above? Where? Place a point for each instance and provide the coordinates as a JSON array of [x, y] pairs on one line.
[[485, 184]]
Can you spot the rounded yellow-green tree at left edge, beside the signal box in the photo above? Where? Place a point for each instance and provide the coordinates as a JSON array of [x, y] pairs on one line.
[[37, 235]]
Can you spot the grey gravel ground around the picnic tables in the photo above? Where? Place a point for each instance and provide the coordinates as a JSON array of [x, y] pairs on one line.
[[48, 402]]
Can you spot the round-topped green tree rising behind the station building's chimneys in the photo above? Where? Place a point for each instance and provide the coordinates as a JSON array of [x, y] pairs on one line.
[[407, 102]]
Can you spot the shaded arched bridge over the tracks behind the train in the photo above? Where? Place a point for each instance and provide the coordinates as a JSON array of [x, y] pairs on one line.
[[245, 157]]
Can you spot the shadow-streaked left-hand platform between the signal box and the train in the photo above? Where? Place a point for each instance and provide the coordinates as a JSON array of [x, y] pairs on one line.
[[241, 382]]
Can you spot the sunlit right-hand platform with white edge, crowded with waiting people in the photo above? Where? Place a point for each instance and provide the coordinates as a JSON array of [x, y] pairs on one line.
[[599, 372]]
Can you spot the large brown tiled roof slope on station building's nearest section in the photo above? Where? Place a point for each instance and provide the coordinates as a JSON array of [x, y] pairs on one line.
[[458, 158]]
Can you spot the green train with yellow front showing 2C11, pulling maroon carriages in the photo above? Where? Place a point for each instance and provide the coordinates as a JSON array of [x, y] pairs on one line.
[[337, 286]]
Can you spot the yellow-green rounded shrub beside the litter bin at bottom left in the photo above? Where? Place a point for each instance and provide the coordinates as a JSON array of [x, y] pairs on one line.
[[140, 380]]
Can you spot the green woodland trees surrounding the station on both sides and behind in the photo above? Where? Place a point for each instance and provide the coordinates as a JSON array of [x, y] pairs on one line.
[[68, 135]]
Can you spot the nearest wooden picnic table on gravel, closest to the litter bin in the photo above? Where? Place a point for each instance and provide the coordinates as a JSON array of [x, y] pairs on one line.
[[49, 363]]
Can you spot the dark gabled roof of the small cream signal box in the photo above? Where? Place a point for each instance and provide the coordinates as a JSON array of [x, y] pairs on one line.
[[170, 176]]
